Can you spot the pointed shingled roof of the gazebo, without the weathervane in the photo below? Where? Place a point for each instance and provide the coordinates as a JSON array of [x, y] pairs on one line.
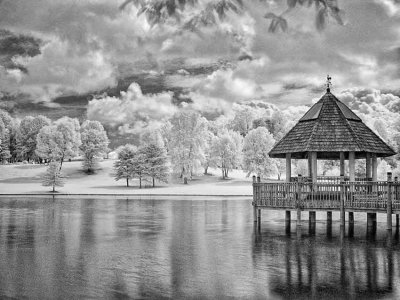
[[328, 128]]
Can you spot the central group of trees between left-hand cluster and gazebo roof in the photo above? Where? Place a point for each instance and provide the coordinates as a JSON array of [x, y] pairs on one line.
[[188, 143]]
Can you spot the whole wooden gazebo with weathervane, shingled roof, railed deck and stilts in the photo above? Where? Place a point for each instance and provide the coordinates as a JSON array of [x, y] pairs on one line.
[[330, 131]]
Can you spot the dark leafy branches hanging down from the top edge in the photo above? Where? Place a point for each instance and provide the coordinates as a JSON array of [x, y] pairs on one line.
[[184, 12]]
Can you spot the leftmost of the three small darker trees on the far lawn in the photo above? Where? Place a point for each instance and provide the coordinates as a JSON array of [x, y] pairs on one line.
[[123, 167]]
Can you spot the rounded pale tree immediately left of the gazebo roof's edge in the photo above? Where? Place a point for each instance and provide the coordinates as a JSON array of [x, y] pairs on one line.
[[257, 145]]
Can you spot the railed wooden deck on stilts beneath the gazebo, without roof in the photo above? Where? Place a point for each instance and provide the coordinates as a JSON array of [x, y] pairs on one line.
[[328, 195]]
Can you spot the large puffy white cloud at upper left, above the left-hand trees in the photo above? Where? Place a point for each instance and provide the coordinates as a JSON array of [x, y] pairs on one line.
[[62, 69]]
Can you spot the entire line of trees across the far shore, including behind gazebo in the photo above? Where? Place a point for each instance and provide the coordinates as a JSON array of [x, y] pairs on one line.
[[184, 145]]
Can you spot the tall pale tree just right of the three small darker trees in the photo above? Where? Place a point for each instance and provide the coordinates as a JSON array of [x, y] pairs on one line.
[[186, 142]]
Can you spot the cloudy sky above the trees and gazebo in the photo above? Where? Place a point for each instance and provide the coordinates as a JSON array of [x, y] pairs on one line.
[[89, 58]]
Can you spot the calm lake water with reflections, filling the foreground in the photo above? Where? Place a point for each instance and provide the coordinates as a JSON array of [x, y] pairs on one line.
[[179, 249]]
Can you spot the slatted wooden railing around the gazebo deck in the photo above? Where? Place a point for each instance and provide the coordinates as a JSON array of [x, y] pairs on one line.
[[309, 196]]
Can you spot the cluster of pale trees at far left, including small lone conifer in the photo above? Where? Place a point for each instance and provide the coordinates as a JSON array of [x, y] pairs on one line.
[[38, 139]]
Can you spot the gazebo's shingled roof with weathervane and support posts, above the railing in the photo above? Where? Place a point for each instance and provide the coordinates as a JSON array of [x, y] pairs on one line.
[[330, 130]]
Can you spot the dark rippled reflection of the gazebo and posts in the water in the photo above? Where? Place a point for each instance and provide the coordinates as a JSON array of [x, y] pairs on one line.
[[317, 267]]
